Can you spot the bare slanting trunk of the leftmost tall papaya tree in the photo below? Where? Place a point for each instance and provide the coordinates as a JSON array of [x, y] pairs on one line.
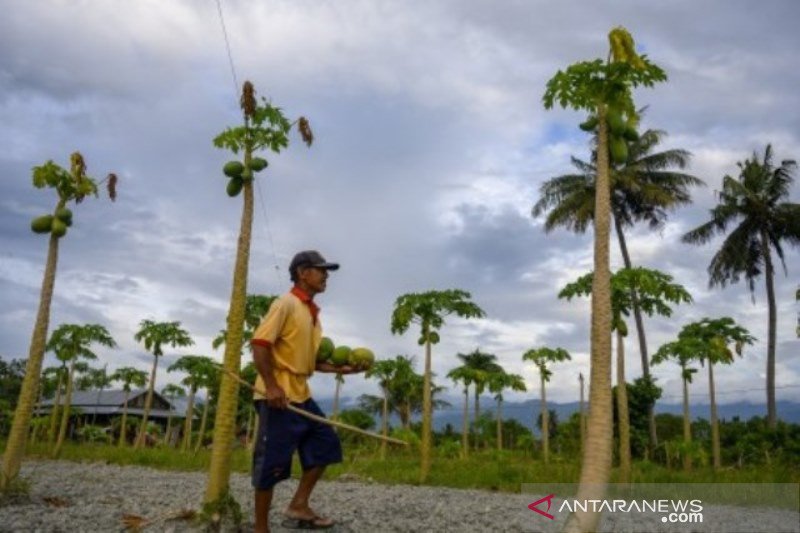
[[15, 447]]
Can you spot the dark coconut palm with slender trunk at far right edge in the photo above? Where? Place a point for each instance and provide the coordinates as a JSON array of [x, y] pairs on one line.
[[756, 203]]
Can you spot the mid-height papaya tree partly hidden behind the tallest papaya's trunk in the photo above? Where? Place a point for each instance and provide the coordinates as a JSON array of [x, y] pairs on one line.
[[652, 292]]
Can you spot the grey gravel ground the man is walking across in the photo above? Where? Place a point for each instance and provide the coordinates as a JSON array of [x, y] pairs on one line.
[[94, 497]]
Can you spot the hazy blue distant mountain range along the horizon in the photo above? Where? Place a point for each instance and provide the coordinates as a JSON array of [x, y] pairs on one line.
[[526, 412]]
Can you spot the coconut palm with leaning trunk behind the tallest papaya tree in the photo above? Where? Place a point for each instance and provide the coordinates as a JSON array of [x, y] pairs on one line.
[[644, 188]]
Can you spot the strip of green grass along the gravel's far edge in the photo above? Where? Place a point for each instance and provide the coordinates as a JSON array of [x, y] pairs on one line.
[[488, 470]]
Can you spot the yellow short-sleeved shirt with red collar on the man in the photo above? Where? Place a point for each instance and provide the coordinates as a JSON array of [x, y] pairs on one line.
[[292, 328]]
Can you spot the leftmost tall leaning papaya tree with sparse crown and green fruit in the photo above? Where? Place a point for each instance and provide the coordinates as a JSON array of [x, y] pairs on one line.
[[71, 185]]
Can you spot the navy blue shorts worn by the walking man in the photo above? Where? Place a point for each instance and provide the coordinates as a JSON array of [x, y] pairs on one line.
[[280, 433]]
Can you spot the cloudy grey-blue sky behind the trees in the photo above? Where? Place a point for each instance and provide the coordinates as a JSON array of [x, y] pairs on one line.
[[431, 144]]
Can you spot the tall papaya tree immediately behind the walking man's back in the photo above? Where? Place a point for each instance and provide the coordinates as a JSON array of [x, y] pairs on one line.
[[264, 128]]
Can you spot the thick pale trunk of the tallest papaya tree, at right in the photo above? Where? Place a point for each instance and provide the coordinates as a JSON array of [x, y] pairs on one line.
[[596, 466]]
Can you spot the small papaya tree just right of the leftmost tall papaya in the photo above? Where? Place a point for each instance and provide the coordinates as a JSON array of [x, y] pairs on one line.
[[71, 342]]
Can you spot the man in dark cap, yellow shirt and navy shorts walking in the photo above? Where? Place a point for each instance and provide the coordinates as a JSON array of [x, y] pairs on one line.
[[284, 352]]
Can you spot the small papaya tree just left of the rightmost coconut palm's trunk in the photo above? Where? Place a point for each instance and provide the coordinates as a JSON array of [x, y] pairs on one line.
[[714, 338]]
